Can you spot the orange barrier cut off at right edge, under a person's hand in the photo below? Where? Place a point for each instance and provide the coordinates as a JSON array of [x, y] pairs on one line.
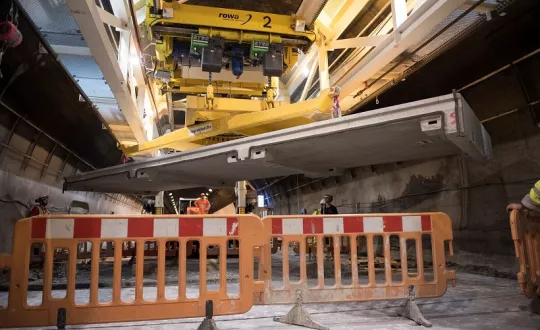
[[525, 228]]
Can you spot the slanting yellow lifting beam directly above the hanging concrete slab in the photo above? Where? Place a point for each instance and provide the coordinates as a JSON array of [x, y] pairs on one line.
[[236, 123]]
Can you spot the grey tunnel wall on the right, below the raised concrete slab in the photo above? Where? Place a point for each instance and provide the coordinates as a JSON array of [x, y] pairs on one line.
[[473, 193]]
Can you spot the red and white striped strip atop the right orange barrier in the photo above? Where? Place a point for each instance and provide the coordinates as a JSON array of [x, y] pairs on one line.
[[351, 225]]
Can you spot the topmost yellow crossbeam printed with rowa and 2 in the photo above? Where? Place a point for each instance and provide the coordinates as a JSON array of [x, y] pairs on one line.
[[228, 19]]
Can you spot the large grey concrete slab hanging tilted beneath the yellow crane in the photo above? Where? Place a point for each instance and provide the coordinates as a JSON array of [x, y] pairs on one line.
[[429, 128]]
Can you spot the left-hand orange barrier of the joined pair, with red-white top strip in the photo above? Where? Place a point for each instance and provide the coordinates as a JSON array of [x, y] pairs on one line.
[[65, 233]]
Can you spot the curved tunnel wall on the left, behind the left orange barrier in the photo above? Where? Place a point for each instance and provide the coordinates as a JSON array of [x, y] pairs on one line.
[[24, 178]]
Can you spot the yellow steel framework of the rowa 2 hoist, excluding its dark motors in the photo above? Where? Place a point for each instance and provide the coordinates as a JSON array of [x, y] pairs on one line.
[[250, 107]]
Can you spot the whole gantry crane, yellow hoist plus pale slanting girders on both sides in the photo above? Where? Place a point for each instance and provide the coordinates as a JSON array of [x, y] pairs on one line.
[[234, 72]]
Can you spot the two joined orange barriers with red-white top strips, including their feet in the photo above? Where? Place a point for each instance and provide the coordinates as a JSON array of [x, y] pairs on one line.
[[277, 260]]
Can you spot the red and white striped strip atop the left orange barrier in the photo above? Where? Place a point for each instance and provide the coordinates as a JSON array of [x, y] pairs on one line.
[[51, 228]]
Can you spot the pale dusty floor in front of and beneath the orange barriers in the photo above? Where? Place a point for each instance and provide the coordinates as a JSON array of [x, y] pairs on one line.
[[478, 302]]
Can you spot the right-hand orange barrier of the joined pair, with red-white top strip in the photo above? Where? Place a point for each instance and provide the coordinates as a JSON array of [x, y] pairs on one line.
[[359, 235]]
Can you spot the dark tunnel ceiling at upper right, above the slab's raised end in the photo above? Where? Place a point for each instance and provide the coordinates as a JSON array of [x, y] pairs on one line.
[[491, 47]]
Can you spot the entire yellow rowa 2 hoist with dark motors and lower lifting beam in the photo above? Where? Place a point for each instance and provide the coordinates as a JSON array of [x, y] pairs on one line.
[[227, 64]]
